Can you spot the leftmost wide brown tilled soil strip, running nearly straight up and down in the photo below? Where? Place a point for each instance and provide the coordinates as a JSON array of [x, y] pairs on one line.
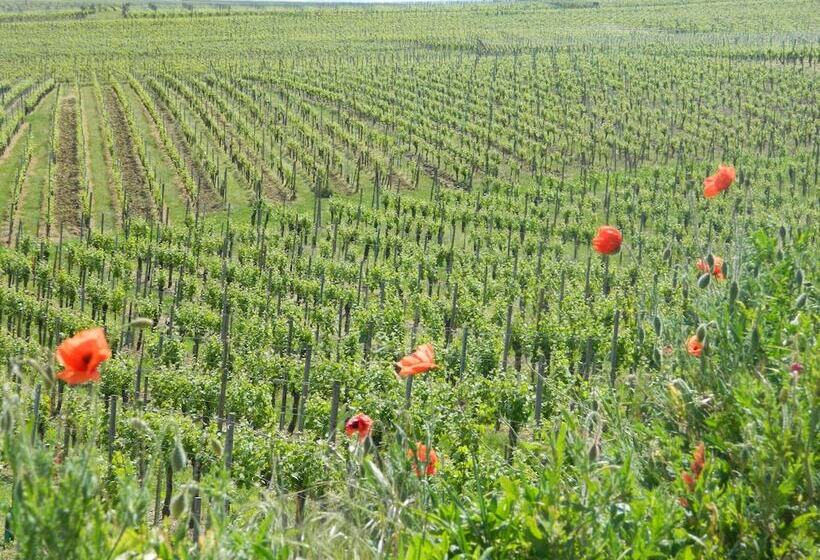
[[67, 185]]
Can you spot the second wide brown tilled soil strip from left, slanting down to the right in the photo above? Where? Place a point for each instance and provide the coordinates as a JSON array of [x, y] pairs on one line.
[[140, 201]]
